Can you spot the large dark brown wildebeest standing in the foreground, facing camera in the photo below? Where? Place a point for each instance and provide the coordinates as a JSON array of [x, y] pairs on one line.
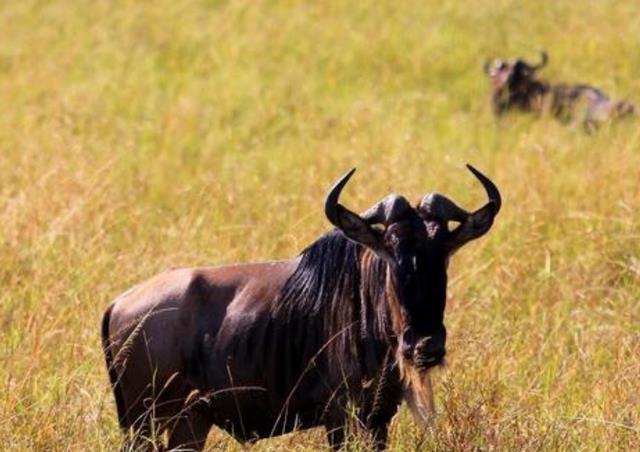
[[262, 349]]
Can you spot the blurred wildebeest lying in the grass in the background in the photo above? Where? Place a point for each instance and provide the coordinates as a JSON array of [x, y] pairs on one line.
[[515, 86]]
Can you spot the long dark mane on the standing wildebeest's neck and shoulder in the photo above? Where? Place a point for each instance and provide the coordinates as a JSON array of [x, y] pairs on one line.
[[338, 290]]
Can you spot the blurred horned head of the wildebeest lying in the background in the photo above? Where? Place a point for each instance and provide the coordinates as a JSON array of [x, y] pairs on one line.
[[513, 82]]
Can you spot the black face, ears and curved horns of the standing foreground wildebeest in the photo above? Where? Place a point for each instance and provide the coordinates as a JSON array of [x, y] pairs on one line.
[[416, 243]]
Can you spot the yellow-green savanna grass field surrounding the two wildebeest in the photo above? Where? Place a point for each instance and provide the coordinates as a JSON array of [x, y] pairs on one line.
[[137, 136]]
